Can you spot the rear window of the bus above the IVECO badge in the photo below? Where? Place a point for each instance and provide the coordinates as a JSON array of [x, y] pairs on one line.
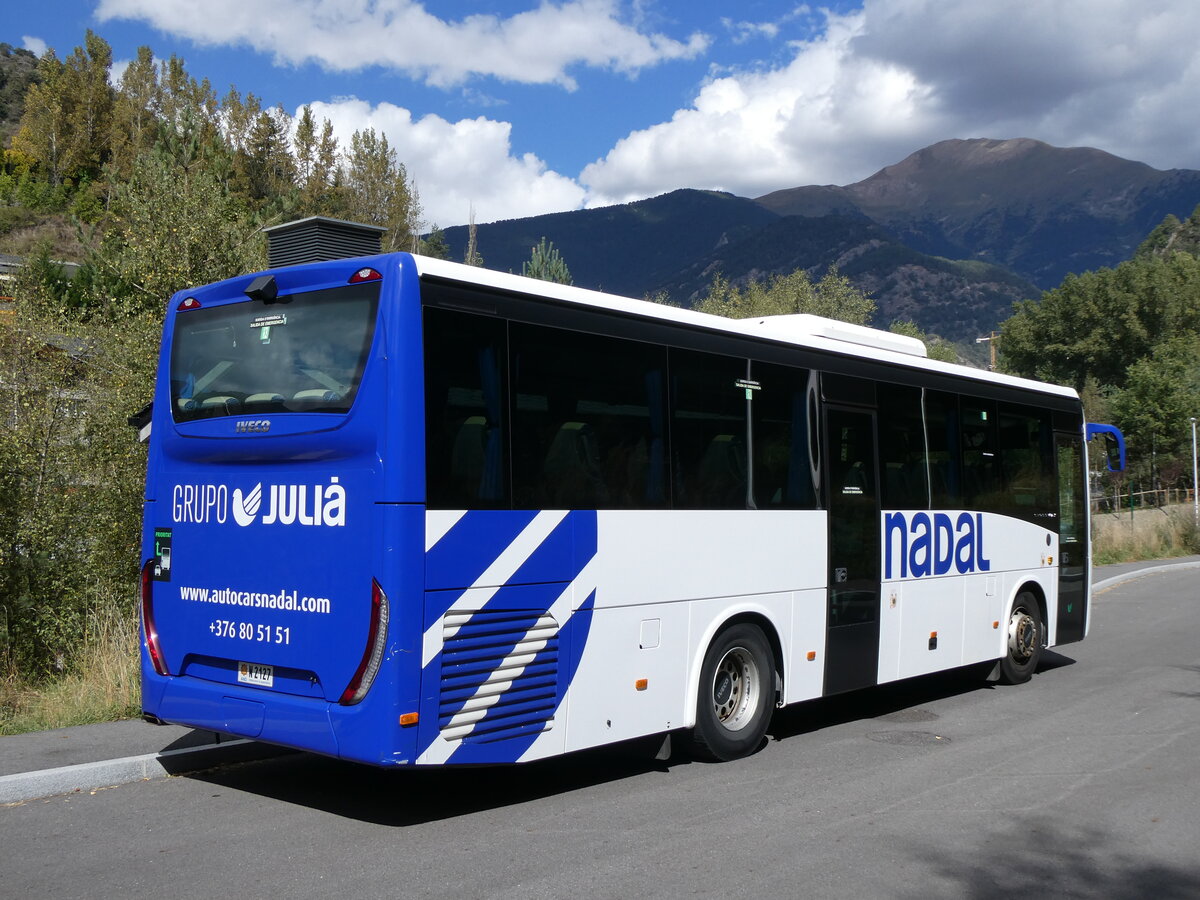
[[304, 353]]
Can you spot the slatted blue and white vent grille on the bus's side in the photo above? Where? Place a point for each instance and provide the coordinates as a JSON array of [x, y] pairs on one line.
[[500, 675]]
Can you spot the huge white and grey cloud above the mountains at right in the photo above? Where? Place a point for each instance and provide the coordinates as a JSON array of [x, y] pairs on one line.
[[899, 75]]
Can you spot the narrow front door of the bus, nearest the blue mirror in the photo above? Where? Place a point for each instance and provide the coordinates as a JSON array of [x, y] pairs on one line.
[[1072, 539]]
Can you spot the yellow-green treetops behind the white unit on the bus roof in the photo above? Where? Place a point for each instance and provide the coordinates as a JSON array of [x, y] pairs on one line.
[[833, 297]]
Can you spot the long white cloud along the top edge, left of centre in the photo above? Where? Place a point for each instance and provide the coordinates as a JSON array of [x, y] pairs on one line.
[[538, 46]]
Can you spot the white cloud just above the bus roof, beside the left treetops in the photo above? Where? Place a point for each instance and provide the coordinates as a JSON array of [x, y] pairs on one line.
[[459, 166]]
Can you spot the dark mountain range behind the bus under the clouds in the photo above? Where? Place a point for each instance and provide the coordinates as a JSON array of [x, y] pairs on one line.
[[949, 238]]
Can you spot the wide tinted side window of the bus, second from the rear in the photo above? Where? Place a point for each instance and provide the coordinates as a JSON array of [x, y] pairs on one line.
[[589, 421]]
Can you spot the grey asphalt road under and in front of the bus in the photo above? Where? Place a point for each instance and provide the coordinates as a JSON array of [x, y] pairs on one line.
[[1084, 783]]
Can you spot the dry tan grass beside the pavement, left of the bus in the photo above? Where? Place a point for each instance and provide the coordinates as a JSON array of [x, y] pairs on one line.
[[101, 683]]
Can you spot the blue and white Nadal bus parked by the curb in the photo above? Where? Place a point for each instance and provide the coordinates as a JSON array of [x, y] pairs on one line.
[[406, 512]]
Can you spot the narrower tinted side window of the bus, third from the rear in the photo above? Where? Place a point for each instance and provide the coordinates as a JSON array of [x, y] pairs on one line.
[[709, 431]]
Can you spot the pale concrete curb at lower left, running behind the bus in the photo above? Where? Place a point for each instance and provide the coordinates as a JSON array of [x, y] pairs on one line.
[[109, 773]]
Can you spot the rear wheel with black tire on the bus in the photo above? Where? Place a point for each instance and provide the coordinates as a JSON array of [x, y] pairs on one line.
[[737, 692]]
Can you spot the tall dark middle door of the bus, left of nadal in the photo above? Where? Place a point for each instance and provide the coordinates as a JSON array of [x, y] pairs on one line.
[[853, 628]]
